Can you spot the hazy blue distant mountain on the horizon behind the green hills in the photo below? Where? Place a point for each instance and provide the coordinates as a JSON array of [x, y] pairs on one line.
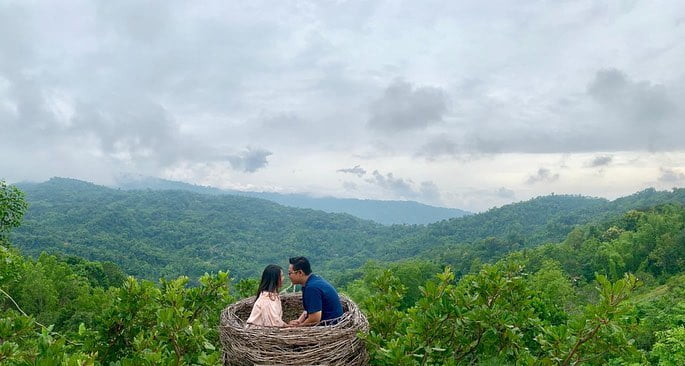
[[384, 212]]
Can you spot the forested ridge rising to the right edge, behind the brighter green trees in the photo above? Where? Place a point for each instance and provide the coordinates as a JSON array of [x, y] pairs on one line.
[[490, 235]]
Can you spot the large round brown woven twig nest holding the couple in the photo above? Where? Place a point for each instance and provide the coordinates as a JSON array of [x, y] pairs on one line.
[[318, 345]]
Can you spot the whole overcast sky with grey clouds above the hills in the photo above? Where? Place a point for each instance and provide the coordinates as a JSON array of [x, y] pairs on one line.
[[462, 104]]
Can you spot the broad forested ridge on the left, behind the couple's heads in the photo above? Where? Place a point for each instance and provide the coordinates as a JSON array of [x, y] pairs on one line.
[[168, 233]]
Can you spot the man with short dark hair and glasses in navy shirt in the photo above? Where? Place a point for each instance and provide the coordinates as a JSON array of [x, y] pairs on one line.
[[320, 300]]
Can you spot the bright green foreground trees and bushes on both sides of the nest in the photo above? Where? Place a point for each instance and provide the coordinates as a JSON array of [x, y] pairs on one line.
[[611, 292]]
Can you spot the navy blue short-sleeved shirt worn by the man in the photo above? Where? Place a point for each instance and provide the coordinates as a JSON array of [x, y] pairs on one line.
[[319, 295]]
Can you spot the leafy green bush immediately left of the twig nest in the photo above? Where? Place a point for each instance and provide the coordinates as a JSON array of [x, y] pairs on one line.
[[170, 324]]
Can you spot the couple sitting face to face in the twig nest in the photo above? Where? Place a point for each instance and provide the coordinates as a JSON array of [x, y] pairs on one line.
[[320, 301]]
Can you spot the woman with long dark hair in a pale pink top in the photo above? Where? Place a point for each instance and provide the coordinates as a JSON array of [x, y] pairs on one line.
[[267, 311]]
